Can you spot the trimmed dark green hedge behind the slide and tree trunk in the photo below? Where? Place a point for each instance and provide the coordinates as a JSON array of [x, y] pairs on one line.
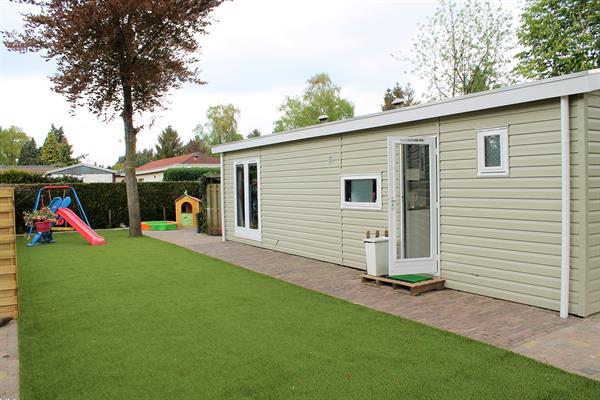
[[98, 198]]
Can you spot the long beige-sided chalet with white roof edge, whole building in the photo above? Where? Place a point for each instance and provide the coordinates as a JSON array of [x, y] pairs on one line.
[[498, 192]]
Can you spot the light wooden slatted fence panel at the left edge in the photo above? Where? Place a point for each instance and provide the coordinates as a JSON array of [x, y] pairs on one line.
[[9, 306]]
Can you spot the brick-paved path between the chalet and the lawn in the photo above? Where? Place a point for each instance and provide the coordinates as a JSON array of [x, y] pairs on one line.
[[572, 344]]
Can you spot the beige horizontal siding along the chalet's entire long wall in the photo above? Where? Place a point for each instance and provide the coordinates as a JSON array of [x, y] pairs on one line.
[[500, 236]]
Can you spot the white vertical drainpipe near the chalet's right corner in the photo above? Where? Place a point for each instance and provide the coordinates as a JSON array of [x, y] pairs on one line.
[[565, 141]]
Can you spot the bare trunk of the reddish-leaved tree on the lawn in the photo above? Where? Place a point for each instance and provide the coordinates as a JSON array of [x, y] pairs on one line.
[[133, 198]]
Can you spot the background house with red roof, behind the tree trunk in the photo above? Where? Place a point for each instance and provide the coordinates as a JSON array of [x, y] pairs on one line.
[[154, 170]]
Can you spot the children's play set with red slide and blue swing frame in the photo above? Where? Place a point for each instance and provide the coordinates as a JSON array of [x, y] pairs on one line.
[[59, 205]]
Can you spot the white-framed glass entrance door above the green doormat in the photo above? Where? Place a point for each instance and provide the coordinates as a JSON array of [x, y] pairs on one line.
[[413, 205]]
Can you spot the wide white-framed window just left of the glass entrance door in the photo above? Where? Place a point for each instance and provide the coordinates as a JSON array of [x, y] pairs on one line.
[[361, 191]]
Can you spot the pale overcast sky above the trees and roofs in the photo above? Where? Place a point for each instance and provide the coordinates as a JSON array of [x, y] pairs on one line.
[[257, 52]]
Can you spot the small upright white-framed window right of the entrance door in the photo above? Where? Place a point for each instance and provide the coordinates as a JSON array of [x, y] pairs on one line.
[[492, 152]]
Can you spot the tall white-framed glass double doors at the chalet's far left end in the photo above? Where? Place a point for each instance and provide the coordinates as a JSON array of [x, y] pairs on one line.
[[246, 197]]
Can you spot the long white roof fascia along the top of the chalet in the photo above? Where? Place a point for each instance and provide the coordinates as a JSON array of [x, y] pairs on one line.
[[564, 85]]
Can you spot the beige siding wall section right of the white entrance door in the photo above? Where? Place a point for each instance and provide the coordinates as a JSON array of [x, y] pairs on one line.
[[501, 236]]
